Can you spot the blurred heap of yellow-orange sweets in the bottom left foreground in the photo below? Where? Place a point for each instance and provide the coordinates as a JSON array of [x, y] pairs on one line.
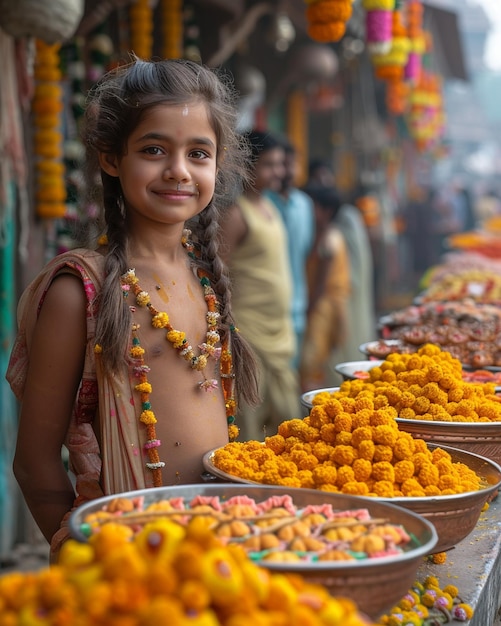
[[165, 575]]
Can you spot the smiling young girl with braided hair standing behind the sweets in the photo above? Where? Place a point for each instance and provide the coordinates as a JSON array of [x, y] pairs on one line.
[[128, 354]]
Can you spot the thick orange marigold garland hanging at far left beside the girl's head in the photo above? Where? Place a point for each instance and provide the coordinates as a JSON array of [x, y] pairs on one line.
[[47, 105]]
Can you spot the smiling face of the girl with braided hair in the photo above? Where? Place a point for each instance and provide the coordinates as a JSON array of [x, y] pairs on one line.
[[169, 169]]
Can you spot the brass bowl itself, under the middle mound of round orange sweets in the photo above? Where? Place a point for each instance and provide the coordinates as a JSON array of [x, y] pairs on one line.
[[454, 516]]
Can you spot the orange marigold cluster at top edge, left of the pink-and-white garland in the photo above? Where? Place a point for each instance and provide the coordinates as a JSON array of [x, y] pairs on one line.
[[327, 19]]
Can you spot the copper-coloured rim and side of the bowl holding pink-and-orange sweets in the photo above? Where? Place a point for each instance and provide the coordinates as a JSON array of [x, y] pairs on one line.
[[374, 584]]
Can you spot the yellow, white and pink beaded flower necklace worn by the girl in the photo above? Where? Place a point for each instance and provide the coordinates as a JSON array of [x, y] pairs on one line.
[[177, 338]]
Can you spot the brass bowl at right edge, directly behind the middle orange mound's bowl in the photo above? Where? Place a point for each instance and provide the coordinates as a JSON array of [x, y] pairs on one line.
[[483, 438]]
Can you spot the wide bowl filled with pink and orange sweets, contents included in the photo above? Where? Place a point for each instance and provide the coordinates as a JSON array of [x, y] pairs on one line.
[[360, 549]]
